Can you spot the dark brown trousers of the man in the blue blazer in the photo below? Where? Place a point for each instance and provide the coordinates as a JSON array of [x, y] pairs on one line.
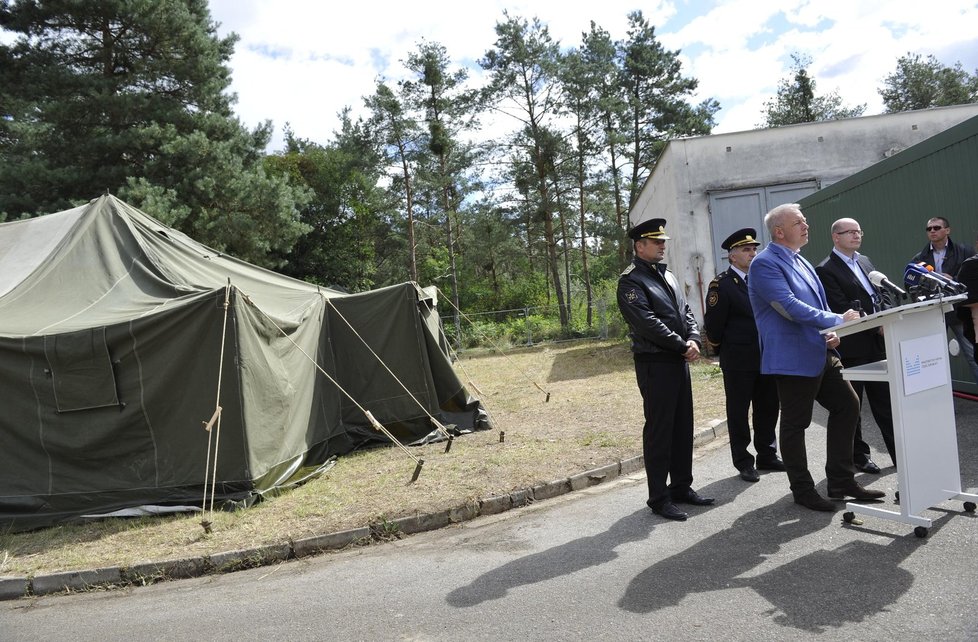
[[798, 396]]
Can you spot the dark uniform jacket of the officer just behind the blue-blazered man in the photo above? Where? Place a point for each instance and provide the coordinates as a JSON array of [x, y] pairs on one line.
[[729, 323]]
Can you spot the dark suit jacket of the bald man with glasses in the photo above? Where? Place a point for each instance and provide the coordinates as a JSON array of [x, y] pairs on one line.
[[841, 289]]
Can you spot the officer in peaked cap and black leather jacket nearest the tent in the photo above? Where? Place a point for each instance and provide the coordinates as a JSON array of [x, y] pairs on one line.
[[665, 340]]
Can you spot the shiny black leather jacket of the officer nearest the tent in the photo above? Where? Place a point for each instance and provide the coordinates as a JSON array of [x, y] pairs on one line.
[[654, 305]]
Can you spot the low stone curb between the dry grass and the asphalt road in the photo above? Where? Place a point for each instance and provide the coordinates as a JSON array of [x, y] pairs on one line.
[[12, 587]]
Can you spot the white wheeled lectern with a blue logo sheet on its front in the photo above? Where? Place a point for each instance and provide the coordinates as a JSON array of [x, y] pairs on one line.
[[918, 370]]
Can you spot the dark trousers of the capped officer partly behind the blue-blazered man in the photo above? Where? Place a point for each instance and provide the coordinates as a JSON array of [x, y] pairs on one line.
[[745, 389]]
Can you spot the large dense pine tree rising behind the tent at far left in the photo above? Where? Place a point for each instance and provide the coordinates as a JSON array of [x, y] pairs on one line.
[[130, 96]]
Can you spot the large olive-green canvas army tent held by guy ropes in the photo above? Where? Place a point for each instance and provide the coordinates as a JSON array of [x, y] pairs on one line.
[[112, 330]]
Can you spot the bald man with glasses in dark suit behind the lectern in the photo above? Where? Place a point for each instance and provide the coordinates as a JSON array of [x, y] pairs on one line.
[[845, 276]]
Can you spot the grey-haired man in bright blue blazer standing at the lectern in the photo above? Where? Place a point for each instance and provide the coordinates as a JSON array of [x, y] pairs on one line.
[[790, 310]]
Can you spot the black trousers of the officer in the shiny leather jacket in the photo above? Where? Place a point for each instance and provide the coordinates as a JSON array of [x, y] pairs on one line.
[[667, 438]]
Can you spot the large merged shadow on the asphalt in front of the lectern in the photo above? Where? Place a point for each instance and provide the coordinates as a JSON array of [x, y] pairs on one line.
[[821, 590]]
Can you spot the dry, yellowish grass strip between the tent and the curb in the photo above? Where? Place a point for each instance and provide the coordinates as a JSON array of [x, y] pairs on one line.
[[593, 418]]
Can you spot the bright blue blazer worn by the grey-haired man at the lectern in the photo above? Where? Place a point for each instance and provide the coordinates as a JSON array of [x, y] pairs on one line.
[[789, 312]]
